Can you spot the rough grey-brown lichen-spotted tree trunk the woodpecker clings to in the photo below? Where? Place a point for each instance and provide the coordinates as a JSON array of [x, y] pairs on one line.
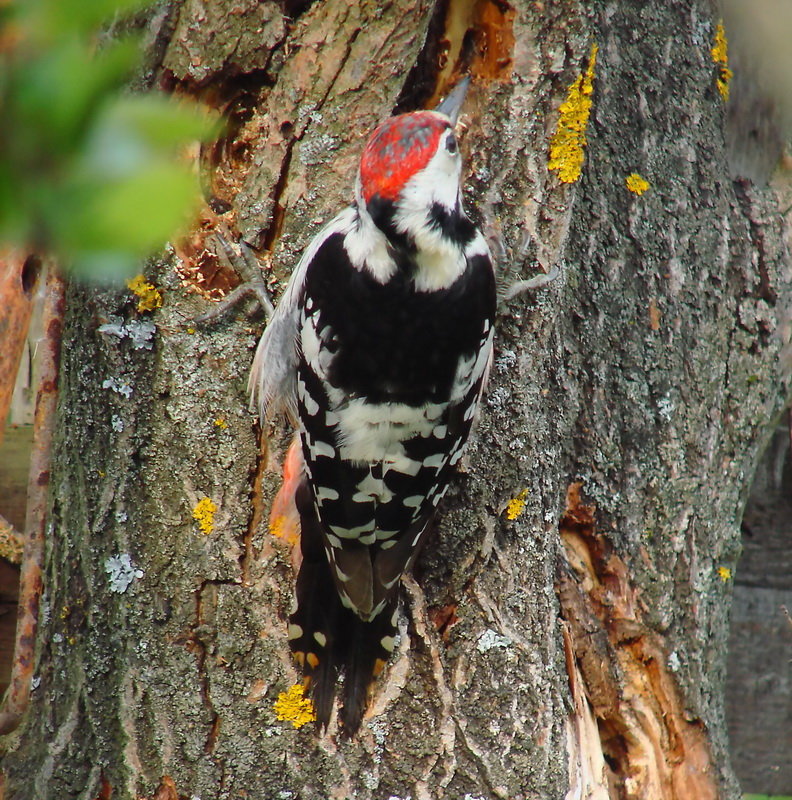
[[565, 633]]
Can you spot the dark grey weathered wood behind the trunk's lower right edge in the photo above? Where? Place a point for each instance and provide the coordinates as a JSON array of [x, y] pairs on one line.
[[759, 685]]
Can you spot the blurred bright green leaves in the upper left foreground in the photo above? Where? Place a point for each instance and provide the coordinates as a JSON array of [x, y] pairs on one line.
[[88, 171]]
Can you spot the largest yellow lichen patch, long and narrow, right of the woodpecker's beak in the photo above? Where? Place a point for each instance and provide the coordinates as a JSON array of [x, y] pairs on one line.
[[569, 141]]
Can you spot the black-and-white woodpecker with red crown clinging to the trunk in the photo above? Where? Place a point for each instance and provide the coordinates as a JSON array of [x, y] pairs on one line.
[[378, 350]]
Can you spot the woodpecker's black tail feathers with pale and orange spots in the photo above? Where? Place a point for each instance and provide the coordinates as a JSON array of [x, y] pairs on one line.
[[326, 638]]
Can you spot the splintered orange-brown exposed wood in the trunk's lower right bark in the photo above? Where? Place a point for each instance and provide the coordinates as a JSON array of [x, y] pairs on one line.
[[657, 752]]
